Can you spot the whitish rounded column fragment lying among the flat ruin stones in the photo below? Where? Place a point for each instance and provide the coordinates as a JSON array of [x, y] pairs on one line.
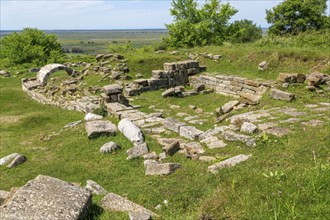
[[131, 131]]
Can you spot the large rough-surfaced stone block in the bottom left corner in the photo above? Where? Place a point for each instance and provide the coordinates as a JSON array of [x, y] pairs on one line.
[[47, 198]]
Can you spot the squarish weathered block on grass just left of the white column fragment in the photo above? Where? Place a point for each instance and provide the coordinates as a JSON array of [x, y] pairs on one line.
[[97, 128]]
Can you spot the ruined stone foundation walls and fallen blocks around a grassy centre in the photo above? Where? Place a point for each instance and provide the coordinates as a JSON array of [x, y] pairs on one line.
[[243, 128]]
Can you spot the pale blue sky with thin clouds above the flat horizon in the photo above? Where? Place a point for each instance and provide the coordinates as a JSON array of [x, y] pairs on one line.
[[102, 14]]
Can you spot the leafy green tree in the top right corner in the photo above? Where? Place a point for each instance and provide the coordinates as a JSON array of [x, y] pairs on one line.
[[296, 16]]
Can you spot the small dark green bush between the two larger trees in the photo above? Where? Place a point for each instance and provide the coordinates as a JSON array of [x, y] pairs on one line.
[[244, 31]]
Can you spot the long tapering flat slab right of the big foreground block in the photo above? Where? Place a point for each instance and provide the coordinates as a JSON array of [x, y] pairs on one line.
[[114, 202]]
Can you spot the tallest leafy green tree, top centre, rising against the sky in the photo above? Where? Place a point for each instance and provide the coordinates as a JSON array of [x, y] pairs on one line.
[[196, 25]]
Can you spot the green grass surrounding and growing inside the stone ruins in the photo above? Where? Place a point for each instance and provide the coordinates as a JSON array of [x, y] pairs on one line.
[[301, 160]]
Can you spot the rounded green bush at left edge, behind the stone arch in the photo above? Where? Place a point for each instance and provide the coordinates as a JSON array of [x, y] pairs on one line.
[[30, 46]]
